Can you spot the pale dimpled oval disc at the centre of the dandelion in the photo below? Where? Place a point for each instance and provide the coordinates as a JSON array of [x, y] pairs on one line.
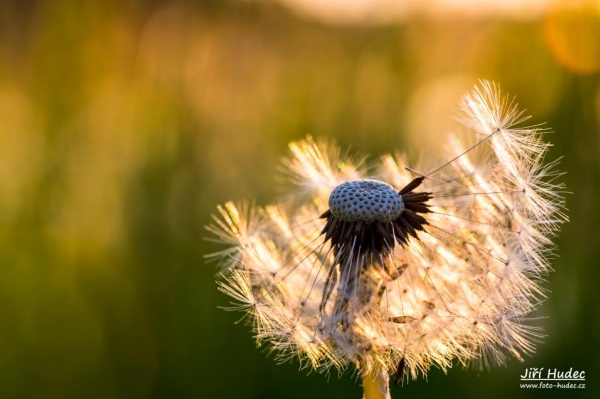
[[367, 201]]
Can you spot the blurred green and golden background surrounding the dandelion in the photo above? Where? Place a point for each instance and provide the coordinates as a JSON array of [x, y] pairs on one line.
[[124, 124]]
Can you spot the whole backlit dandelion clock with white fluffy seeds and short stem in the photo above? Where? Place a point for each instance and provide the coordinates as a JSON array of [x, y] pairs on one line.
[[392, 269]]
